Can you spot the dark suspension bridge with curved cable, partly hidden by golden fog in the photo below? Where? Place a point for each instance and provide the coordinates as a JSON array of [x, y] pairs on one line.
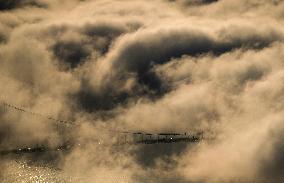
[[122, 137]]
